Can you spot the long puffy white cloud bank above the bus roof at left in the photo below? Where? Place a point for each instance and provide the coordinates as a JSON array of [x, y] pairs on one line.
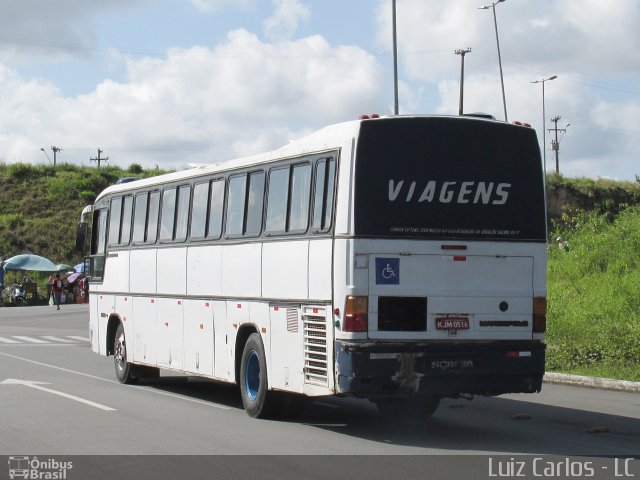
[[199, 105]]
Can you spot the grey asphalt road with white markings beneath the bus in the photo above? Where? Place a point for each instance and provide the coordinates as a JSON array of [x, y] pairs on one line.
[[58, 397]]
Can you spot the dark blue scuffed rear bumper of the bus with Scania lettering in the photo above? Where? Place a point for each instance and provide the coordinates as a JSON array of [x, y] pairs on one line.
[[374, 369]]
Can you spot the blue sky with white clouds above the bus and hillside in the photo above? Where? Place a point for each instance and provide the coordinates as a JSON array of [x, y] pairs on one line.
[[174, 82]]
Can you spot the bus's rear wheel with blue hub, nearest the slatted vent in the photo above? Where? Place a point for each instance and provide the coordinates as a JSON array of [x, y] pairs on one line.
[[257, 400]]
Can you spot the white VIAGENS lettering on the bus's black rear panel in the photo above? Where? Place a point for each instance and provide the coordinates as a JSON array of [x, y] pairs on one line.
[[449, 192]]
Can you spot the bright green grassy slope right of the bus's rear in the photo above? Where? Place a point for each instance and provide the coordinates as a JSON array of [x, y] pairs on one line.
[[594, 296]]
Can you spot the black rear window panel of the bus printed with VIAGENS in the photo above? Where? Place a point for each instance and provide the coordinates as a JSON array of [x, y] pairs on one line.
[[449, 178]]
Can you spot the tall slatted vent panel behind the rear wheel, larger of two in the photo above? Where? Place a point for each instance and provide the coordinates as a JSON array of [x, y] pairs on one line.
[[315, 347]]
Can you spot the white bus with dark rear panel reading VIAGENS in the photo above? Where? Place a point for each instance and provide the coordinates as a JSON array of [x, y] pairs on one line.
[[399, 259]]
